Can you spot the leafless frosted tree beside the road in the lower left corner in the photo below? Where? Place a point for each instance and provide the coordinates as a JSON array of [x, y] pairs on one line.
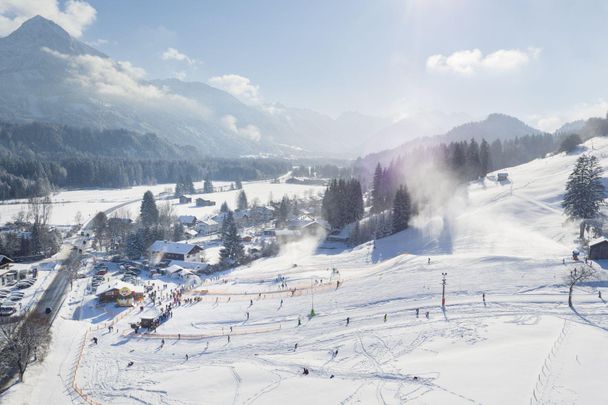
[[22, 344]]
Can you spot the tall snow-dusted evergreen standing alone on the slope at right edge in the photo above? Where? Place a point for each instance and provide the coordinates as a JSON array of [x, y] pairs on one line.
[[585, 192]]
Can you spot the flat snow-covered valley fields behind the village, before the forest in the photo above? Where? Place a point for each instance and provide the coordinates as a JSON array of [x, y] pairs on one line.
[[66, 204]]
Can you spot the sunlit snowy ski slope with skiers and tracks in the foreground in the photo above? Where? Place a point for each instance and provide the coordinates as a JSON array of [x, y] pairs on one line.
[[524, 345]]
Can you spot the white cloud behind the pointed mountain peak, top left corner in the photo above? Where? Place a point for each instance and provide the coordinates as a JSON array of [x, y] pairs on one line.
[[74, 17]]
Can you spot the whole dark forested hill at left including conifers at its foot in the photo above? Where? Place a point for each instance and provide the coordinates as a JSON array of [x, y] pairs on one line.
[[38, 158]]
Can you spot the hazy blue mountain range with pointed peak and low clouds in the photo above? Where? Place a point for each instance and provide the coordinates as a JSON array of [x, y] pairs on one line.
[[48, 76]]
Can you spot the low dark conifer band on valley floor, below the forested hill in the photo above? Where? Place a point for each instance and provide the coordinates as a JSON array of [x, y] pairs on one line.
[[21, 178]]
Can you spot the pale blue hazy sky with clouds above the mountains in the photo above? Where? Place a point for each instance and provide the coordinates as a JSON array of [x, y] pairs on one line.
[[539, 60]]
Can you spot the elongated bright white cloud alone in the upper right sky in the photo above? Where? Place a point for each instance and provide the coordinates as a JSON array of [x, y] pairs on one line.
[[468, 62]]
